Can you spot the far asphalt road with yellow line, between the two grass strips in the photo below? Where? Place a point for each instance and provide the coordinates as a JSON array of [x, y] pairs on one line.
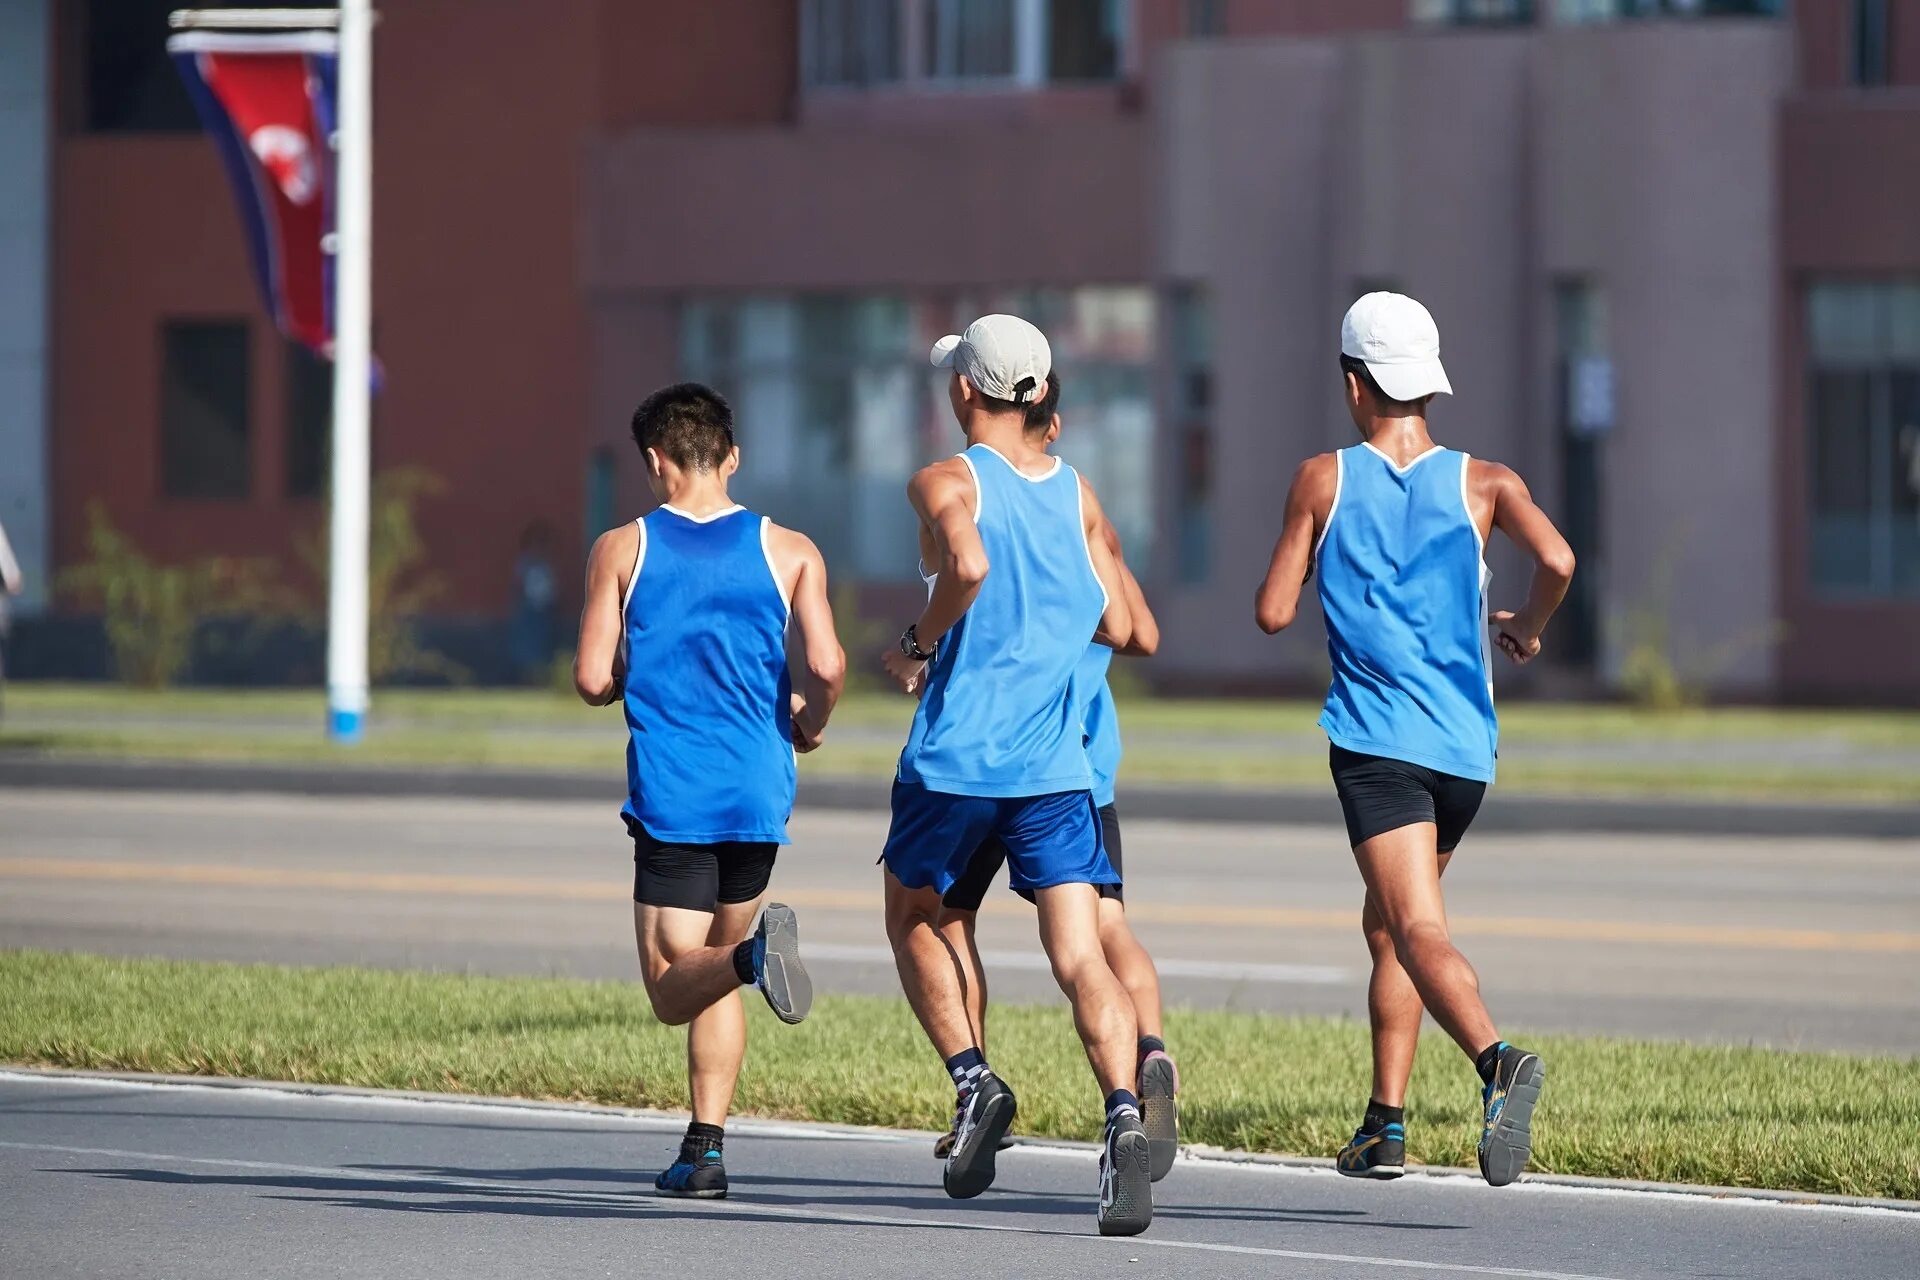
[[1777, 941]]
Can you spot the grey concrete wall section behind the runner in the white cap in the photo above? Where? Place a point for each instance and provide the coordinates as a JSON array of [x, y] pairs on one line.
[[1476, 170]]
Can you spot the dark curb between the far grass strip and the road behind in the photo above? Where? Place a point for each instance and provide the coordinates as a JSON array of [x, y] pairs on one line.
[[1514, 813]]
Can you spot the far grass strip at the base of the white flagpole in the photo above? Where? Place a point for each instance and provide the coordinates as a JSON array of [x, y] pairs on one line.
[[1226, 742]]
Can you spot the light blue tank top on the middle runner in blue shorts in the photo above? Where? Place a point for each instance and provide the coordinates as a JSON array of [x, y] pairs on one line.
[[999, 717]]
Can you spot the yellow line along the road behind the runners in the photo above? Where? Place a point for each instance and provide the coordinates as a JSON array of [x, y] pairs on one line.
[[1535, 928]]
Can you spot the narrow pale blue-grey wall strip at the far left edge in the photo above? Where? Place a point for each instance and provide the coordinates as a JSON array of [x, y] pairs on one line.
[[26, 202]]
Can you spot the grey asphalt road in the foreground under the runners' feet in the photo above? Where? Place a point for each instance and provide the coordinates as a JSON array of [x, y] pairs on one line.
[[185, 1183]]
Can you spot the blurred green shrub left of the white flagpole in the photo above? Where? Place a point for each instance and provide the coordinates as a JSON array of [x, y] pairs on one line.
[[153, 611]]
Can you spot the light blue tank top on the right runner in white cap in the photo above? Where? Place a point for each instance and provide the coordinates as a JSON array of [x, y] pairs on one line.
[[1403, 582]]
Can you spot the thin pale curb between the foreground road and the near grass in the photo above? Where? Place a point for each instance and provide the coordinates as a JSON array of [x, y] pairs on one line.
[[1207, 1154]]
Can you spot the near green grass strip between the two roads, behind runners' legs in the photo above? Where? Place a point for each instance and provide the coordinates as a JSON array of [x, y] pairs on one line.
[[1614, 1108]]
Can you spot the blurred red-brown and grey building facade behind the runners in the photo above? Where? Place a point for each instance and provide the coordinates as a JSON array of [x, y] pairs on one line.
[[1668, 241]]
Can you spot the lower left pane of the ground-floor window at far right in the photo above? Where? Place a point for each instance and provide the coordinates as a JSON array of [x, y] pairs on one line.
[[1842, 481]]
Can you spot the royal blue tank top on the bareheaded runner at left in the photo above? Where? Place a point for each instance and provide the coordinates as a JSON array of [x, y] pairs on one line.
[[709, 751]]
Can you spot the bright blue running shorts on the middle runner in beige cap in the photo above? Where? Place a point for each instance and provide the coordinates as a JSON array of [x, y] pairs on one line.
[[1051, 840]]
